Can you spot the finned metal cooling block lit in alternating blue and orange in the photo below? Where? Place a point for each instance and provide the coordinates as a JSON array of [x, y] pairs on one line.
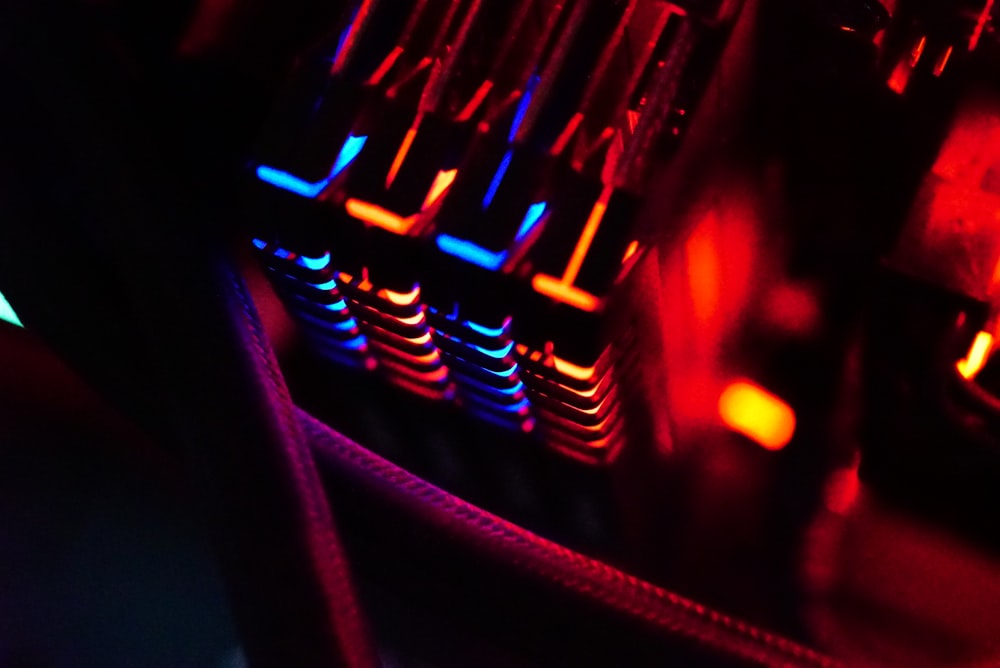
[[453, 197]]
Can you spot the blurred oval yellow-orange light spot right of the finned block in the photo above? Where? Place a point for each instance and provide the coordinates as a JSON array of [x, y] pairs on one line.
[[757, 414]]
